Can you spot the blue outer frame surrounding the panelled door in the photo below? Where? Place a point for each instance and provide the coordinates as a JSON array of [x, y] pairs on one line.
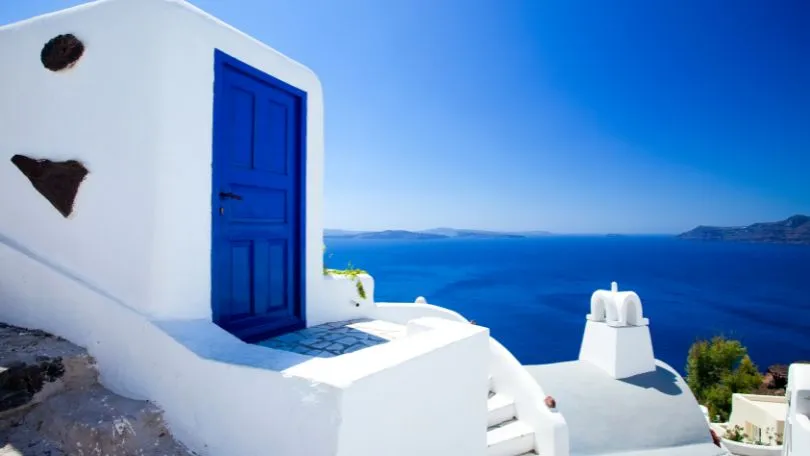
[[222, 61]]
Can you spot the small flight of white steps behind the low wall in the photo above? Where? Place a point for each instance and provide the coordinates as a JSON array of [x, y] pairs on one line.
[[506, 435]]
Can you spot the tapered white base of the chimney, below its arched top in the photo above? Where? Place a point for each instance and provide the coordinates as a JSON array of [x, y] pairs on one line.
[[620, 351]]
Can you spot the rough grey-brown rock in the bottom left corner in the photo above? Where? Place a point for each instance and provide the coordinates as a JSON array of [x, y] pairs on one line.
[[51, 404]]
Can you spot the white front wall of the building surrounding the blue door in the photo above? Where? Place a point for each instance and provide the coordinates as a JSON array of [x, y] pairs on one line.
[[184, 149]]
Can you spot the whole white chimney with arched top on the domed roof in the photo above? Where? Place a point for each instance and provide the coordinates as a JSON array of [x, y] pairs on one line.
[[617, 336]]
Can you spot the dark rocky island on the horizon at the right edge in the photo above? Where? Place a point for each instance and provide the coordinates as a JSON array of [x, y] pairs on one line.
[[793, 230]]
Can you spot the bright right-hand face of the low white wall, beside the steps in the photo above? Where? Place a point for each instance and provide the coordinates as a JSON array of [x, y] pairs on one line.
[[435, 404]]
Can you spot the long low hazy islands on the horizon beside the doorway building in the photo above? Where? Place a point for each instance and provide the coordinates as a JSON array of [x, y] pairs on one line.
[[434, 233]]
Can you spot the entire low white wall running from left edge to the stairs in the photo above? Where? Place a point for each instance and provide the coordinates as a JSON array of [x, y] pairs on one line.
[[423, 394]]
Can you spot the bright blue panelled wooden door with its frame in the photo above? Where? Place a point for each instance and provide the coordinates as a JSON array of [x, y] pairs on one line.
[[257, 281]]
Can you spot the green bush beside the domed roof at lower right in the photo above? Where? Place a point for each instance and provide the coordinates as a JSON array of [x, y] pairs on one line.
[[718, 368]]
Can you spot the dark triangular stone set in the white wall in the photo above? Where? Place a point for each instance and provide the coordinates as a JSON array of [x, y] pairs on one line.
[[58, 182]]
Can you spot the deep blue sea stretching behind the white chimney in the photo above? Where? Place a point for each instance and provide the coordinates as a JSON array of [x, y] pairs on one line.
[[534, 293]]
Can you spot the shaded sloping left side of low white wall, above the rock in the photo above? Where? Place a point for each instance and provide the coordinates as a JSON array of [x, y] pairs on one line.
[[227, 398]]
